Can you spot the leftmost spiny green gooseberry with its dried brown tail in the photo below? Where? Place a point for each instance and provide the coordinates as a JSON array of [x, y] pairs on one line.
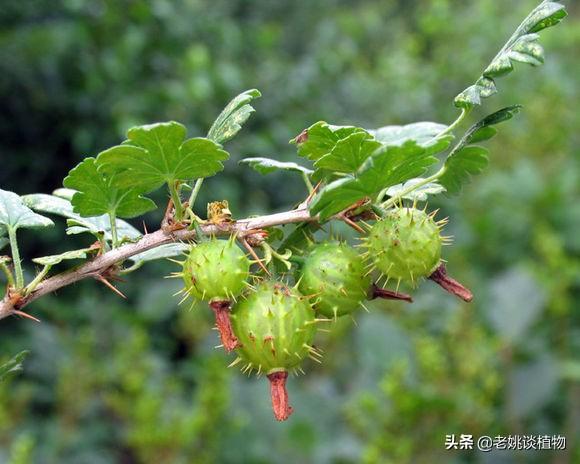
[[217, 271]]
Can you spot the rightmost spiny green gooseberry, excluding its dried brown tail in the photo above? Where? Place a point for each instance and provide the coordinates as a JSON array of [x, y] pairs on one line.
[[405, 245]]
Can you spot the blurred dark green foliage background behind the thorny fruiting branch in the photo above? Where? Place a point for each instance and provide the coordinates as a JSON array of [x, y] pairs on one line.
[[139, 381]]
